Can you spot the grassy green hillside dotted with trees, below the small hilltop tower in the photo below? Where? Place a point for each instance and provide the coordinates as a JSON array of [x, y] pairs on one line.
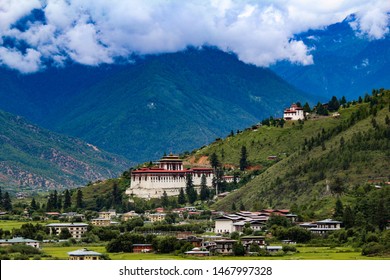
[[317, 160]]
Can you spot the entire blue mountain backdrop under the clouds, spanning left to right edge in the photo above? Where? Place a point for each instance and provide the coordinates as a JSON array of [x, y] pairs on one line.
[[174, 102]]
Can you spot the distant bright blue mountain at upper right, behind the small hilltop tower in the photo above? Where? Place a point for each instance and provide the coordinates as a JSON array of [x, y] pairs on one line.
[[345, 63]]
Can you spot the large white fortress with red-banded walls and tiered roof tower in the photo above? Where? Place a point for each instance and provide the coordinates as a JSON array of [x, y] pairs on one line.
[[168, 176]]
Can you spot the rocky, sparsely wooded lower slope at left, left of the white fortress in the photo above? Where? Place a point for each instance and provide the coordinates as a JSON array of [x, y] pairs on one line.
[[33, 158]]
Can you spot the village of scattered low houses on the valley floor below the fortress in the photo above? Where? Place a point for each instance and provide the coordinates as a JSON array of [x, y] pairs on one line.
[[246, 226]]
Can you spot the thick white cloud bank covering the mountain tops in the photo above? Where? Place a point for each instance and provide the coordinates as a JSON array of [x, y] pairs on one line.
[[35, 33]]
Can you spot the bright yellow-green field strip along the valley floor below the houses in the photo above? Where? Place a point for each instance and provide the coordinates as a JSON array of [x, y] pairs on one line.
[[305, 253]]
